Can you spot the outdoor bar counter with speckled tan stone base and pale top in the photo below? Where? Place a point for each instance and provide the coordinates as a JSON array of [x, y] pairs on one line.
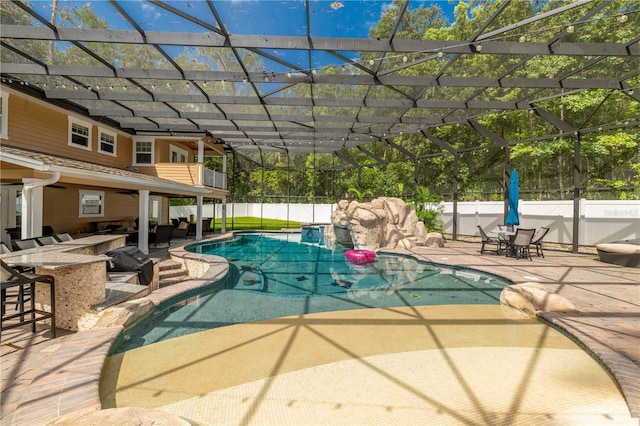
[[80, 272]]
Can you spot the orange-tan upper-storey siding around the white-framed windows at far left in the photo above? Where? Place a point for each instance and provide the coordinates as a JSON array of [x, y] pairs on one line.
[[44, 129]]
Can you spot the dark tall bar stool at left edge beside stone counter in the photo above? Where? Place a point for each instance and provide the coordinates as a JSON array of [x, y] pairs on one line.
[[23, 282]]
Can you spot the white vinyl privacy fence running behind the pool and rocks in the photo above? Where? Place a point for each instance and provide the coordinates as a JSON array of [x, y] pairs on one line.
[[600, 220]]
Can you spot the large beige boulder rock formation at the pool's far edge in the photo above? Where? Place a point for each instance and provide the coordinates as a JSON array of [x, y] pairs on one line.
[[385, 222]]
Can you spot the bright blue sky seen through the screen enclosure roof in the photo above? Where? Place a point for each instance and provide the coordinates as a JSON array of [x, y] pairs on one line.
[[328, 18]]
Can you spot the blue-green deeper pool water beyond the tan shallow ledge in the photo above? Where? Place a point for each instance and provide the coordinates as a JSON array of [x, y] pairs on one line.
[[276, 274]]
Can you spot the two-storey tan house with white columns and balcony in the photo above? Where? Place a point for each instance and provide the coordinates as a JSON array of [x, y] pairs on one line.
[[61, 169]]
